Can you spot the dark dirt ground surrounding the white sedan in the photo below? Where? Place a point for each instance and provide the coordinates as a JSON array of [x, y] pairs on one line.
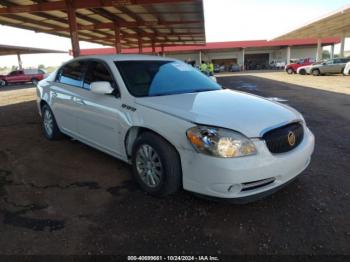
[[64, 197]]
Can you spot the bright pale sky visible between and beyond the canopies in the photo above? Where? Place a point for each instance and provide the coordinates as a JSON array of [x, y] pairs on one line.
[[225, 20]]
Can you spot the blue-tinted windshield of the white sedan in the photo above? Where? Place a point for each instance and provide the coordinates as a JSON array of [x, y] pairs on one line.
[[157, 78]]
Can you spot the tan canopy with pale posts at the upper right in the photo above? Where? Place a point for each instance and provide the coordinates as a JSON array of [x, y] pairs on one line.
[[336, 24]]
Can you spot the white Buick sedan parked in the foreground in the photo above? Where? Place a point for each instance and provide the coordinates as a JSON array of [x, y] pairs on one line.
[[175, 126]]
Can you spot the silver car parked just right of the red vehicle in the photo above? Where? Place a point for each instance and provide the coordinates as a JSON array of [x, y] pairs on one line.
[[331, 66]]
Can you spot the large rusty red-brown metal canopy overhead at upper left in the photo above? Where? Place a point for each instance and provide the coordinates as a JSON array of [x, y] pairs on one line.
[[119, 23]]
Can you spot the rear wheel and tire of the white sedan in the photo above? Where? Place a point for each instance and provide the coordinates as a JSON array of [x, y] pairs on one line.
[[49, 124]]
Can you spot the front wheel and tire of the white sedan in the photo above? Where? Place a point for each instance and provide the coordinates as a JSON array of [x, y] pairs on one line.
[[156, 165]]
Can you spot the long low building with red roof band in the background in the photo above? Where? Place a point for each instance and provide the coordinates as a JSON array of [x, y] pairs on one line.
[[257, 54]]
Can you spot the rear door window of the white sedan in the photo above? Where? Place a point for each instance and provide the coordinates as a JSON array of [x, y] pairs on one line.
[[72, 73]]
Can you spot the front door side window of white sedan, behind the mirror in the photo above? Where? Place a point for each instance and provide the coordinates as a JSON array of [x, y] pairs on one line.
[[97, 72]]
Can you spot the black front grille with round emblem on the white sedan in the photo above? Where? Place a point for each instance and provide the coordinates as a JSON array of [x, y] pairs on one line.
[[285, 138]]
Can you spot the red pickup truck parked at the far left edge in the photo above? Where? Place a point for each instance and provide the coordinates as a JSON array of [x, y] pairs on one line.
[[23, 76]]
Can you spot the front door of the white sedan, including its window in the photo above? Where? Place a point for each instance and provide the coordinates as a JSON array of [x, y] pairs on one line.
[[100, 119]]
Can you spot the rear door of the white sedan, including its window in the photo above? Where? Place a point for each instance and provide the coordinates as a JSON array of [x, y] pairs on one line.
[[64, 96]]
